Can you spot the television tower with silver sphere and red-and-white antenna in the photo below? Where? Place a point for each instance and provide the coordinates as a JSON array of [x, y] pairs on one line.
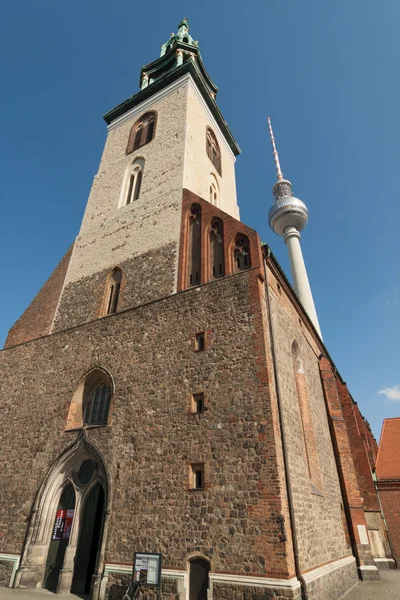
[[287, 217]]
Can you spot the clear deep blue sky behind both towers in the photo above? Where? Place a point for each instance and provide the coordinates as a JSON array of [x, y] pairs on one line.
[[327, 74]]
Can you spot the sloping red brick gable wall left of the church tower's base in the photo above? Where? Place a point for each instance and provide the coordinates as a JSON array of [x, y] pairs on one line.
[[38, 317]]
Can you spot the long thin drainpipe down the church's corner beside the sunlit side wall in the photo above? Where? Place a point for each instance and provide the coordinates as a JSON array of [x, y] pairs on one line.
[[304, 592]]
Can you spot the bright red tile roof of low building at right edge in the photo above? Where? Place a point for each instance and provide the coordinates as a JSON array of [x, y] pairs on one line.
[[388, 459]]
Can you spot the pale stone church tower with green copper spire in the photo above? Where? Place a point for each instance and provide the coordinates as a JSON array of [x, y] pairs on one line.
[[167, 137]]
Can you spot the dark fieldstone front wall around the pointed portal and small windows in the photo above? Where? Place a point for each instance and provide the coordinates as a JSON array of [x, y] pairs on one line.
[[152, 437]]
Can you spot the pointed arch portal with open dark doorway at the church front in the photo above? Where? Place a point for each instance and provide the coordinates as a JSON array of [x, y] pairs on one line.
[[65, 542]]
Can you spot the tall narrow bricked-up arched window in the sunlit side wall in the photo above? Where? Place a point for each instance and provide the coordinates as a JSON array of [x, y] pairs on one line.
[[310, 444]]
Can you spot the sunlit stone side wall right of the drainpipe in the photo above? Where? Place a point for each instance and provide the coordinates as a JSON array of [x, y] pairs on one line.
[[318, 509]]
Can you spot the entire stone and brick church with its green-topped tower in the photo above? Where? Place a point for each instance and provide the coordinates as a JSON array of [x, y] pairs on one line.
[[166, 392]]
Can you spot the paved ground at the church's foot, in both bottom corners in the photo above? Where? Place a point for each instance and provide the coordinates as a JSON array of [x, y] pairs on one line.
[[386, 589]]
